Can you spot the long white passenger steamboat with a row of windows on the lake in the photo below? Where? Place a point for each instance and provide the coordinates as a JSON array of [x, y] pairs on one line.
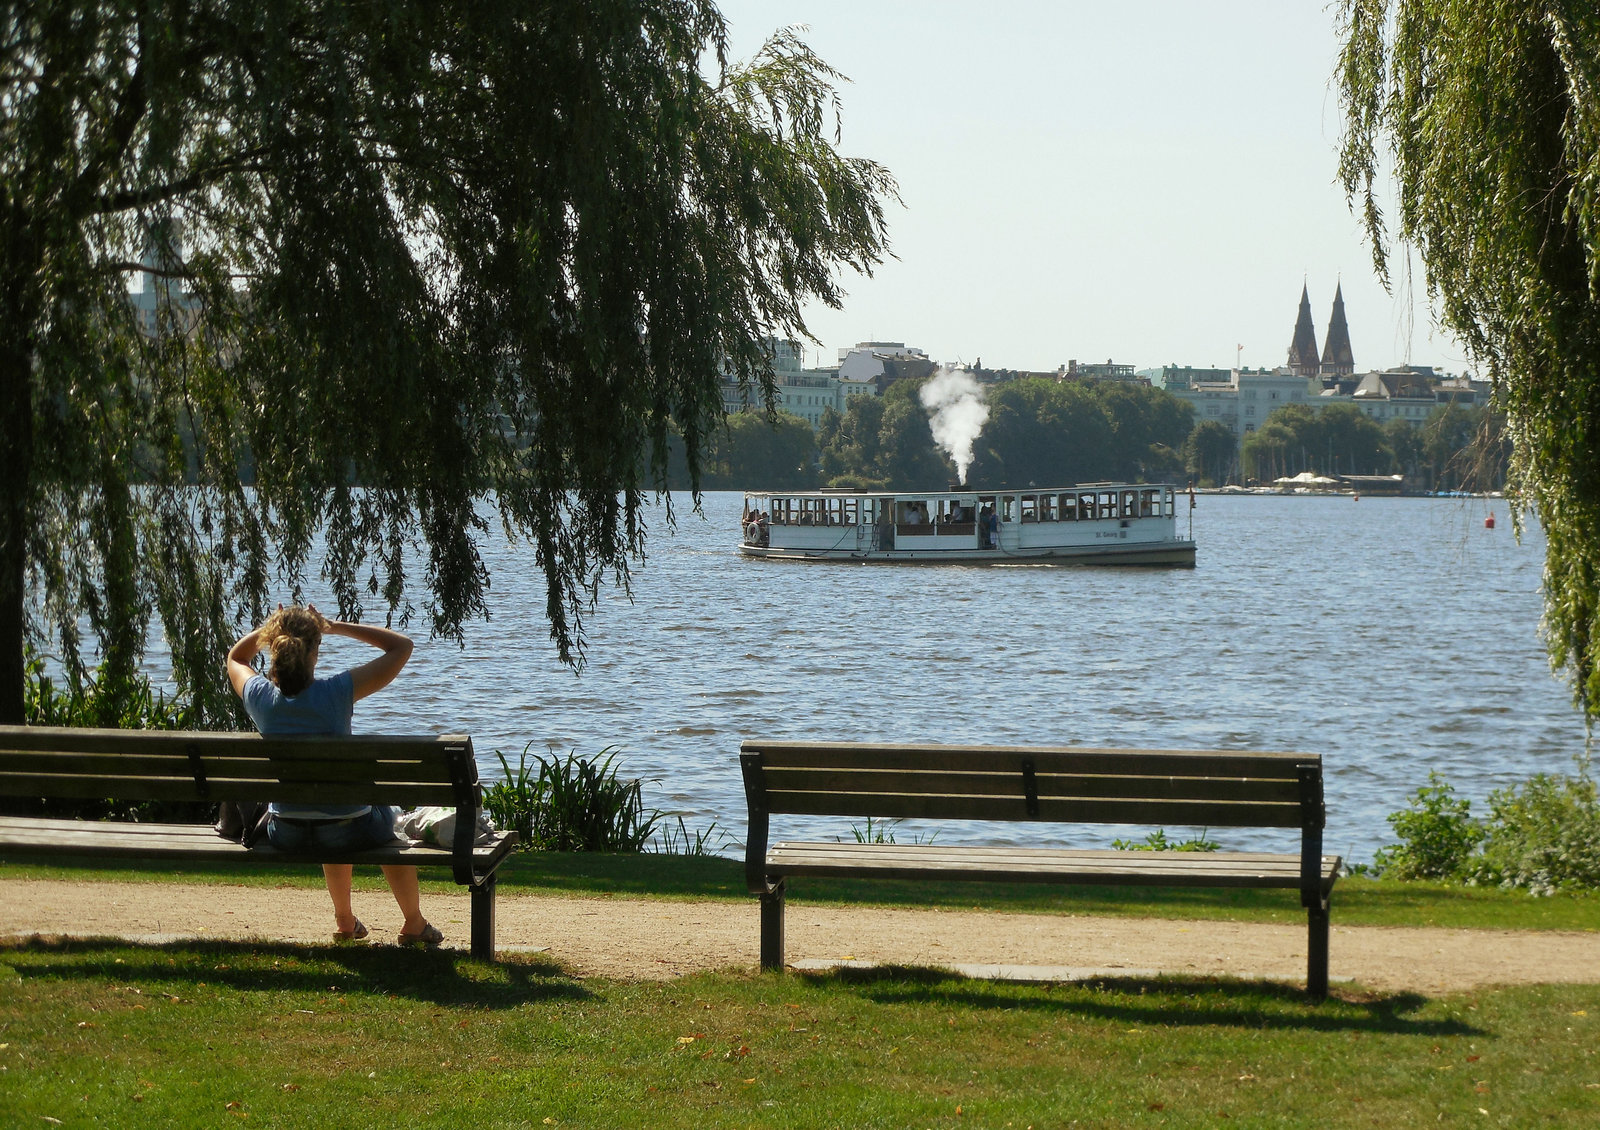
[[1102, 524]]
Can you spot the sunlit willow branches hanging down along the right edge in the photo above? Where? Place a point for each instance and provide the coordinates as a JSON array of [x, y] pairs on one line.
[[1490, 118]]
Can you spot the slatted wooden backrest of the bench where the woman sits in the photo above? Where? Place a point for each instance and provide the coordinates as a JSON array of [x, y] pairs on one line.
[[190, 766]]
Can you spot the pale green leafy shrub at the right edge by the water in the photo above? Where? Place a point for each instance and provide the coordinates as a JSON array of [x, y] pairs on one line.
[[1543, 836]]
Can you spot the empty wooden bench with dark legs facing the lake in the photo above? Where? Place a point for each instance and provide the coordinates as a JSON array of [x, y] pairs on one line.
[[1158, 788]]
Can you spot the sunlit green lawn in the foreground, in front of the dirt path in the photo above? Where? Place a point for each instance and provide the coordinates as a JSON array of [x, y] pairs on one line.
[[282, 1036]]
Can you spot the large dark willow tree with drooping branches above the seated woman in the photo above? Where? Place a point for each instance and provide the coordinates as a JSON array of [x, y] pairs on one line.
[[407, 273]]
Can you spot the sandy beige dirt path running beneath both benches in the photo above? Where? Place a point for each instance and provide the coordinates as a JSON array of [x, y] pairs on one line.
[[657, 940]]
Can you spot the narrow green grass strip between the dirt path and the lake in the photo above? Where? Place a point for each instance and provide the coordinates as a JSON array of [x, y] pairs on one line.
[[1356, 902]]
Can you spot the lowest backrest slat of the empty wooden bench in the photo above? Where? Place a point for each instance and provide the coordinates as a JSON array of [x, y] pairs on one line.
[[1108, 811]]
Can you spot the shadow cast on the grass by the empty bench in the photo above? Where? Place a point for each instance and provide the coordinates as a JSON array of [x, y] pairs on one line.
[[1167, 1001]]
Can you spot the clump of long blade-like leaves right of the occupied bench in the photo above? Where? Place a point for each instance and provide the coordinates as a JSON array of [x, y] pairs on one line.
[[572, 804]]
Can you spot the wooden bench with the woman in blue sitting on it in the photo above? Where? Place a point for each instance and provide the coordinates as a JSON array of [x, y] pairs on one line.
[[246, 767]]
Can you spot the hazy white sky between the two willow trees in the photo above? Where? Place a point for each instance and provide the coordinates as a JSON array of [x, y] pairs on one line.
[[1148, 182]]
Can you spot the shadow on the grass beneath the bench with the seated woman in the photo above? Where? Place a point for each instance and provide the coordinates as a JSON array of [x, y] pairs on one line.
[[436, 977]]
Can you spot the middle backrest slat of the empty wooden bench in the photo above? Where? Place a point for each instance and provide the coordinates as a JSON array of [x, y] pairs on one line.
[[1009, 783]]
